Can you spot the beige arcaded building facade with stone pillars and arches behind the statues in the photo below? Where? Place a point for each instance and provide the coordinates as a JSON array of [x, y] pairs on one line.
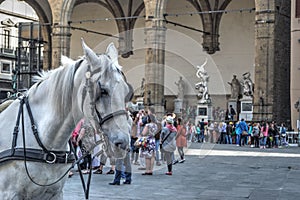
[[162, 40]]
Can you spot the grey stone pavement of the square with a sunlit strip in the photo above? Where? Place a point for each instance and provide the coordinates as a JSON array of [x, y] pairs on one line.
[[211, 171]]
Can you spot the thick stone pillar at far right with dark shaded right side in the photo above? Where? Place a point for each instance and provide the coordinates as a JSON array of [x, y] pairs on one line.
[[272, 61]]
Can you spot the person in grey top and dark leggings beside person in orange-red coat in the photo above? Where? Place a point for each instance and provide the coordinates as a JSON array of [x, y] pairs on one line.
[[168, 135]]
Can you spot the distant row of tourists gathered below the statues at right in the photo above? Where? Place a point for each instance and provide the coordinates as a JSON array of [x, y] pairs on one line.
[[262, 134]]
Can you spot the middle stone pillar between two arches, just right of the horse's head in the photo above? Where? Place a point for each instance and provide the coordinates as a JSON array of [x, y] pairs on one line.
[[155, 54]]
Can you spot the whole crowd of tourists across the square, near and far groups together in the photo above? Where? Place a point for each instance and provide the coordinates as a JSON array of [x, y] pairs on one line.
[[153, 142]]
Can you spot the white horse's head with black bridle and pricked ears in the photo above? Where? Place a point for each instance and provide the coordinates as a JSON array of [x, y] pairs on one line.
[[104, 92]]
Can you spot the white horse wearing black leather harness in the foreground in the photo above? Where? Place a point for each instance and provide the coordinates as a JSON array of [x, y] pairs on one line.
[[40, 123]]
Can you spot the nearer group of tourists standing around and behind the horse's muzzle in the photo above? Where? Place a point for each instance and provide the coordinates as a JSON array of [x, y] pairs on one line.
[[153, 142]]
